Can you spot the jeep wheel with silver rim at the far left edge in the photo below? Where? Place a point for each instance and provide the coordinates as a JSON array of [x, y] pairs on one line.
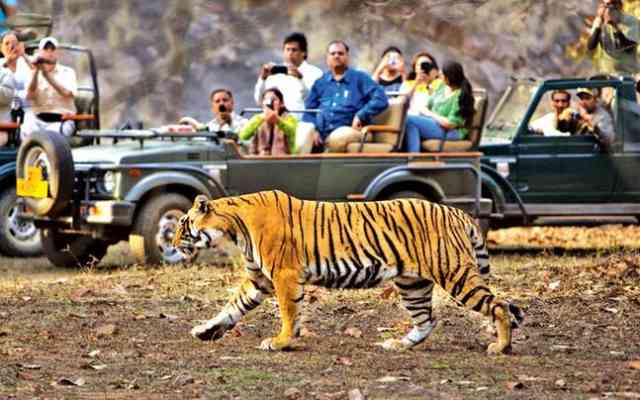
[[18, 238]]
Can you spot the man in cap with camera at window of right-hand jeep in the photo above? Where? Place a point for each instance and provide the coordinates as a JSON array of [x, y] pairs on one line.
[[594, 119]]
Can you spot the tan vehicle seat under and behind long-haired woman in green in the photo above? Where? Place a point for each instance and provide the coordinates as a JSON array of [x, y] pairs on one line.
[[475, 131]]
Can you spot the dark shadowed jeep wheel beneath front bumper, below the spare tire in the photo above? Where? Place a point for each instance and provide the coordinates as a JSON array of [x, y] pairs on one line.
[[67, 250]]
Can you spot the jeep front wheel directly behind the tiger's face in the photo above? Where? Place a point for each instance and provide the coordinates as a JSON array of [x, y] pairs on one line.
[[154, 228]]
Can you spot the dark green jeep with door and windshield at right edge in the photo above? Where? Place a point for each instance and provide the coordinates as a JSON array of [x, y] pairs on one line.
[[531, 177]]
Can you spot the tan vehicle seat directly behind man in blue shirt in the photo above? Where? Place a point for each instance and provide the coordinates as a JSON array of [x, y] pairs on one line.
[[384, 135]]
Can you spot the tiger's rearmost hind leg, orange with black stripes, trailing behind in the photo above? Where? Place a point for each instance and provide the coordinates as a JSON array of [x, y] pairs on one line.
[[470, 290]]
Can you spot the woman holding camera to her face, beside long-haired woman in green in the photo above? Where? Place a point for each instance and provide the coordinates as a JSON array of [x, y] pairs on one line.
[[422, 82]]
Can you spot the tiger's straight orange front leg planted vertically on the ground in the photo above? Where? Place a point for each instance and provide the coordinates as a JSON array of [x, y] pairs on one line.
[[290, 294]]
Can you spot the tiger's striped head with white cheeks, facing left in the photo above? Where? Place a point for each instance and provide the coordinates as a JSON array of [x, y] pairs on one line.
[[199, 228]]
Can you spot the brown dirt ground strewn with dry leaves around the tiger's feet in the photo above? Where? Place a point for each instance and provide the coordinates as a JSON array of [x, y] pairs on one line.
[[121, 331]]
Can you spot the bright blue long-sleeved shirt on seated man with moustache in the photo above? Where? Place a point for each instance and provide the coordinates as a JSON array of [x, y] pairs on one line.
[[339, 101]]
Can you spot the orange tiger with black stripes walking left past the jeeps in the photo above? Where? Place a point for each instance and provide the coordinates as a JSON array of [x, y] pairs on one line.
[[288, 243]]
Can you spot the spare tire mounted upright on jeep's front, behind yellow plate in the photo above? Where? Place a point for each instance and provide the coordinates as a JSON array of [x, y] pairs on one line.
[[52, 154]]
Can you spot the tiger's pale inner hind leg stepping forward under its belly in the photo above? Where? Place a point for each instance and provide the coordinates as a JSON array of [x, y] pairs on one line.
[[416, 296]]
